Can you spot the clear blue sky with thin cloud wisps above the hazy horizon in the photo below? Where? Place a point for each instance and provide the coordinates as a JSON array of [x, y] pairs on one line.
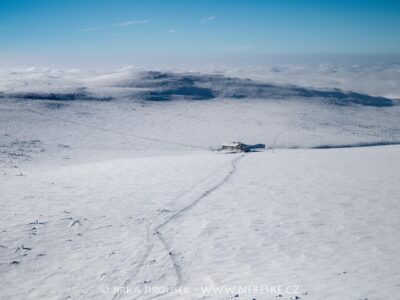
[[158, 27]]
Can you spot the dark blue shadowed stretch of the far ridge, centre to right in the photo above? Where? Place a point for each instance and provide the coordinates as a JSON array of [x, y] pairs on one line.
[[199, 86]]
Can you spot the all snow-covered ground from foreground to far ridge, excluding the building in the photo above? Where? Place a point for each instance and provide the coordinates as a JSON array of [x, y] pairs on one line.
[[111, 188]]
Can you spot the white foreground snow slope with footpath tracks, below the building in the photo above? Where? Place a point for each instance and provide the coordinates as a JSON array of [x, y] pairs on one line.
[[321, 224]]
